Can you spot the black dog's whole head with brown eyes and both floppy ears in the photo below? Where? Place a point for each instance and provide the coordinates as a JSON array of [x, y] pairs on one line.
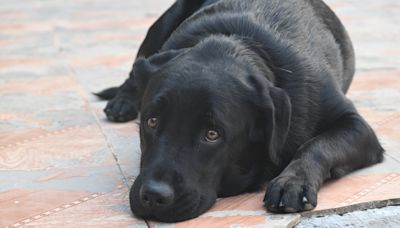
[[210, 122]]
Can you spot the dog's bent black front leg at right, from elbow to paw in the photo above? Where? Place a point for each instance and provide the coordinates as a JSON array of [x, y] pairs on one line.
[[347, 144]]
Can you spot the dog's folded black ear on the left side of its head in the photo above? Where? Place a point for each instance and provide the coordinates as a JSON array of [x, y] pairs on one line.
[[144, 68]]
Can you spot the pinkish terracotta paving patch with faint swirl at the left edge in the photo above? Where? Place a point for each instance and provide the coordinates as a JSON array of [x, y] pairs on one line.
[[64, 148]]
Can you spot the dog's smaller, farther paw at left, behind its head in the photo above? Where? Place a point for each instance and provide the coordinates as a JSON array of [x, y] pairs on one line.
[[121, 109]]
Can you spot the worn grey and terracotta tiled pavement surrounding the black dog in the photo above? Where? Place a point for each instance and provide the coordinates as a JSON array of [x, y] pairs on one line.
[[63, 164]]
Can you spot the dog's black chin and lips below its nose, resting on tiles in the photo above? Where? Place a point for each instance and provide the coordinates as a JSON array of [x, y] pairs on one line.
[[188, 205]]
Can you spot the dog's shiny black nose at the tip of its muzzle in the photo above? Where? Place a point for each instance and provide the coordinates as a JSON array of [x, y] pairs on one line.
[[154, 193]]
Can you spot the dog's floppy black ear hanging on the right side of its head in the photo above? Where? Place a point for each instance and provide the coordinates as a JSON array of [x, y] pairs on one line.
[[277, 111]]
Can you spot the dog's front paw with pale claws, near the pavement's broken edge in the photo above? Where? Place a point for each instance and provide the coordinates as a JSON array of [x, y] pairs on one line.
[[290, 194]]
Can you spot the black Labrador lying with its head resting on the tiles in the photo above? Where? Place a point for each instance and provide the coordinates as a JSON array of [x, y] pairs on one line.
[[236, 93]]
